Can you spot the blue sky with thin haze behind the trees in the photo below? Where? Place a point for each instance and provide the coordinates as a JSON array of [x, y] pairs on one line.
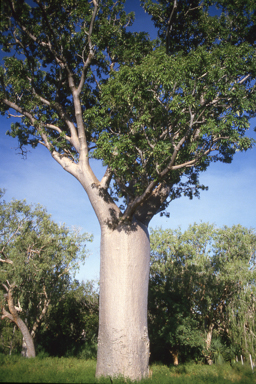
[[39, 179]]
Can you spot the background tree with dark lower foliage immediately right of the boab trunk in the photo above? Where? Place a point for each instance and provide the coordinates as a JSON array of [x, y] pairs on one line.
[[179, 270]]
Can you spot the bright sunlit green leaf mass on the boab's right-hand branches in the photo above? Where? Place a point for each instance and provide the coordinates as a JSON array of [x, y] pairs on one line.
[[174, 114]]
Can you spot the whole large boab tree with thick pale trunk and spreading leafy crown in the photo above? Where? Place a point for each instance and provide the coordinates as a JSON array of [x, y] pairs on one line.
[[155, 114]]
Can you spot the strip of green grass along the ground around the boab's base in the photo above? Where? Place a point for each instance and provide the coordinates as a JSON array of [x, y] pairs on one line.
[[72, 370]]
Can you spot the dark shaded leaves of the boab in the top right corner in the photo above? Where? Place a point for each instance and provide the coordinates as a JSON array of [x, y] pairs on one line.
[[185, 25]]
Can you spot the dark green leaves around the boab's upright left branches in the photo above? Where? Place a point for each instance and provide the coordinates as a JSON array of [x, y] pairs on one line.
[[57, 37]]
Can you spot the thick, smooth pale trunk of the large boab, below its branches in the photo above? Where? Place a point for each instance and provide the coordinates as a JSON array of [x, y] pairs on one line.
[[123, 344]]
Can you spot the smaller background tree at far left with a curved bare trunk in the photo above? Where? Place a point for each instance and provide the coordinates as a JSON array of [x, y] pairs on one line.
[[37, 257]]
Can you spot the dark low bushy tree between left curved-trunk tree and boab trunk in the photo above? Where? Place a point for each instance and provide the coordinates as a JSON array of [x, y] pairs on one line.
[[71, 326]]
